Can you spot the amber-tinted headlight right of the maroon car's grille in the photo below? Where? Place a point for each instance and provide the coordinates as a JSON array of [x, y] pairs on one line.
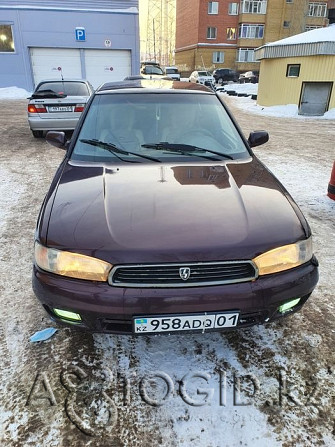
[[285, 257]]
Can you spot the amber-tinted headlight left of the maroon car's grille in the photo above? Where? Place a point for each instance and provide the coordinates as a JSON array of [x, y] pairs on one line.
[[70, 264]]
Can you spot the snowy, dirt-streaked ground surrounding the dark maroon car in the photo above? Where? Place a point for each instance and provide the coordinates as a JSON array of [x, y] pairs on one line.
[[264, 386]]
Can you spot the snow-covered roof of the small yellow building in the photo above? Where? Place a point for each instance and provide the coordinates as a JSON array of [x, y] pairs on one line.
[[318, 41]]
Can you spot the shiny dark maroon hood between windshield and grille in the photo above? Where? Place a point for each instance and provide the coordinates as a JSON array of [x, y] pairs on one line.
[[169, 213]]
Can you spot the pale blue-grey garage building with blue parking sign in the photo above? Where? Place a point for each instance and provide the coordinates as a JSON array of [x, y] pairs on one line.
[[41, 39]]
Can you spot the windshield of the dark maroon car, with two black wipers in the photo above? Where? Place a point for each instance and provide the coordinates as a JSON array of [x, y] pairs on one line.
[[163, 127]]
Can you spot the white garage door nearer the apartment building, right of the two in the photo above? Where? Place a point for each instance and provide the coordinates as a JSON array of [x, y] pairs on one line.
[[107, 65]]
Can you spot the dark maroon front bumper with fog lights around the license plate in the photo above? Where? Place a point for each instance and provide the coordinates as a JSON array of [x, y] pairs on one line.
[[104, 308]]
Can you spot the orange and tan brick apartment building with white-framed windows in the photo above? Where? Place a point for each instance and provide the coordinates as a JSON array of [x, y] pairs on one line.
[[225, 34]]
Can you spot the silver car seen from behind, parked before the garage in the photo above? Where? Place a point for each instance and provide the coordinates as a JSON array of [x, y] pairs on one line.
[[57, 105]]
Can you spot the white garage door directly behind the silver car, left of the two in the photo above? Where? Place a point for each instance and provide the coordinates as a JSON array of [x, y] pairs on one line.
[[49, 63]]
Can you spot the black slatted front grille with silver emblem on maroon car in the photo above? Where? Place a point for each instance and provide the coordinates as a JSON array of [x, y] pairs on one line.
[[171, 275]]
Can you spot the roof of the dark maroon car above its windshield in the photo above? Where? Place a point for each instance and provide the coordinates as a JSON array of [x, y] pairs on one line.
[[153, 85]]
